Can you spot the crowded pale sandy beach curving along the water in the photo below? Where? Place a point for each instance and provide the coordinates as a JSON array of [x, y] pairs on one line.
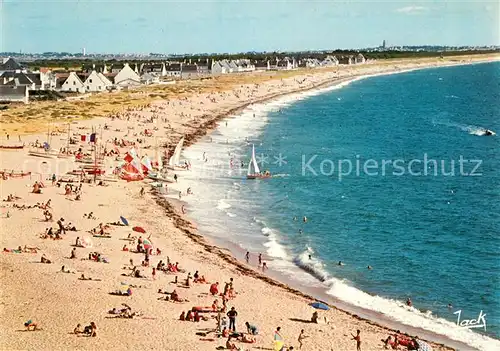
[[57, 301]]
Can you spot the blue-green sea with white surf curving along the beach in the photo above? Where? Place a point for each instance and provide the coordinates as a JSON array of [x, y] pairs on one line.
[[394, 172]]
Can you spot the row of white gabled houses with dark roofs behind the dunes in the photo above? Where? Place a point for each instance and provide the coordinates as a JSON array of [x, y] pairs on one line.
[[17, 81]]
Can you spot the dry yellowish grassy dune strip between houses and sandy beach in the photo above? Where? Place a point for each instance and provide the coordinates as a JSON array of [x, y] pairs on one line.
[[33, 118]]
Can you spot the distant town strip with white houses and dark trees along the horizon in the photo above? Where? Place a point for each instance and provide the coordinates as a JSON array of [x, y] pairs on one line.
[[57, 75]]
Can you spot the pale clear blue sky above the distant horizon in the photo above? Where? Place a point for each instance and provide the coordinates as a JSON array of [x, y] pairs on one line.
[[162, 26]]
